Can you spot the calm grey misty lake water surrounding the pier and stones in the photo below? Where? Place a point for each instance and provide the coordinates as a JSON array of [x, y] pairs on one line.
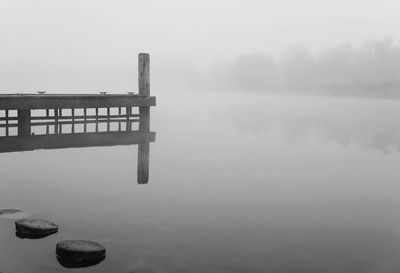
[[238, 183]]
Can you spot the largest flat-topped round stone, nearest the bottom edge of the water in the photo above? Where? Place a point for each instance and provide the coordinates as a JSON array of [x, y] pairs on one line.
[[80, 250]]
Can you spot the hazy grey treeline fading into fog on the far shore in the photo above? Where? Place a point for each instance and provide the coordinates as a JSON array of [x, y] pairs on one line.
[[372, 69]]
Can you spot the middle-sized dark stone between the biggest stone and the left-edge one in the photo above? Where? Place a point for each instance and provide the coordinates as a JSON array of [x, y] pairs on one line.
[[35, 228]]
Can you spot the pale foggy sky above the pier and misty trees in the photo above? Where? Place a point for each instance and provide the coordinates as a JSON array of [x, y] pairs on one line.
[[62, 45]]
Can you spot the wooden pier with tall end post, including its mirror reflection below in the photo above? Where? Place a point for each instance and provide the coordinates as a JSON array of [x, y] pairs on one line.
[[29, 122]]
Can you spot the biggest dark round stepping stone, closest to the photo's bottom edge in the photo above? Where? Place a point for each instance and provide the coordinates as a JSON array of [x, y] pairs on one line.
[[79, 253]]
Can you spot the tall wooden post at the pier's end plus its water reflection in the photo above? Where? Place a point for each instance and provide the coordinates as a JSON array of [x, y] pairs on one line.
[[144, 118]]
